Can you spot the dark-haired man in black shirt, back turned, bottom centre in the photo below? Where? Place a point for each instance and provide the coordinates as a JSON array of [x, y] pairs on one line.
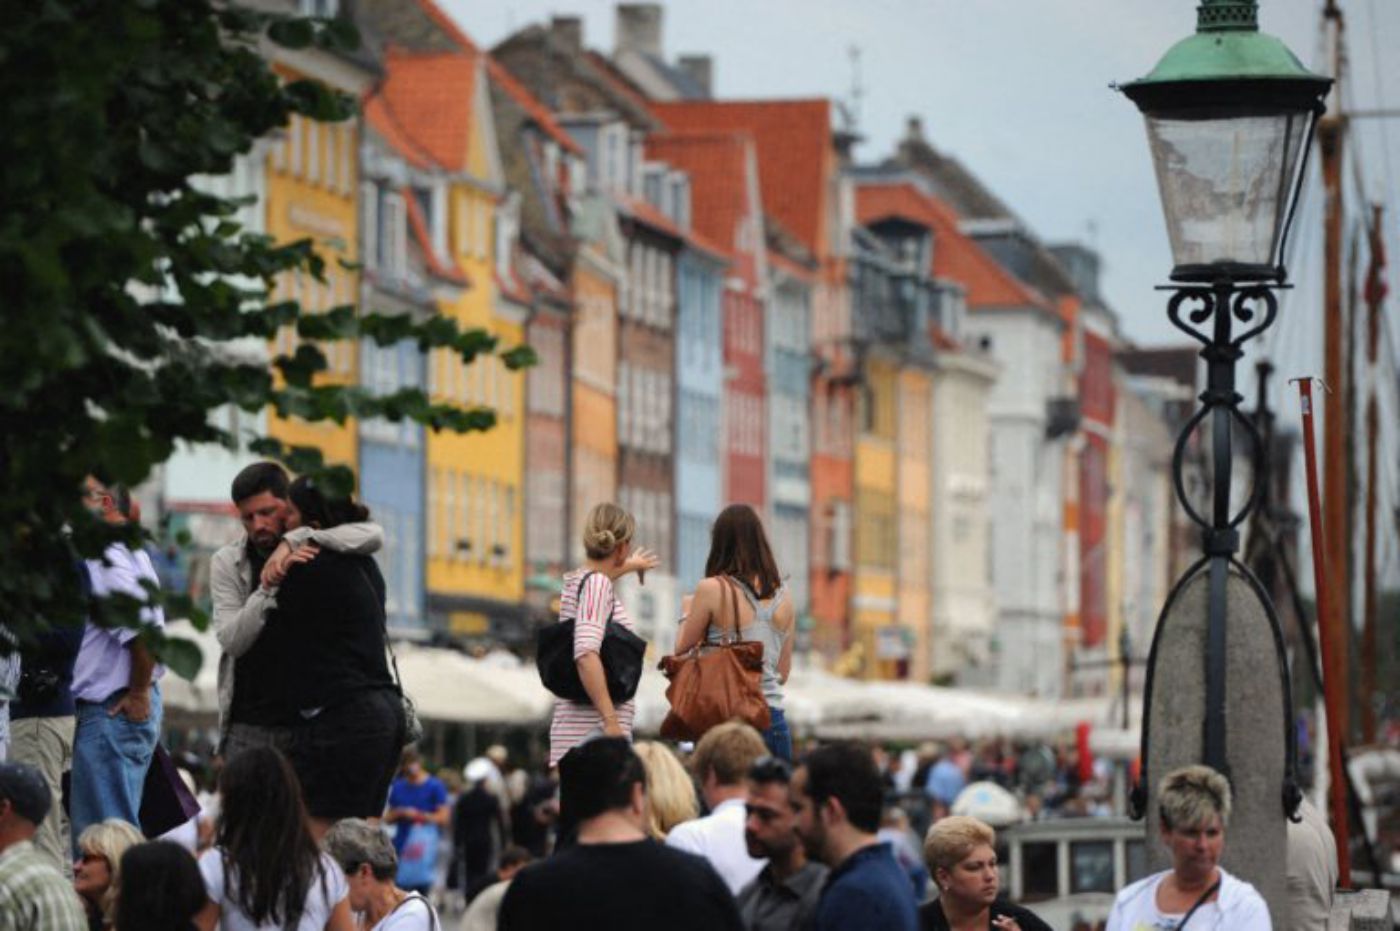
[[615, 878]]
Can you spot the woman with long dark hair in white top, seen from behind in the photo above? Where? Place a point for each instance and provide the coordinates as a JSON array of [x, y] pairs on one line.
[[265, 871]]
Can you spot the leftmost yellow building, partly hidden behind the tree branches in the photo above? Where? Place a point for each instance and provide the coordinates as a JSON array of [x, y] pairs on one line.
[[313, 181]]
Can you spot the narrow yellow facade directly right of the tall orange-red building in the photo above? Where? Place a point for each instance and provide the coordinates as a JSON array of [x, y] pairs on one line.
[[874, 600]]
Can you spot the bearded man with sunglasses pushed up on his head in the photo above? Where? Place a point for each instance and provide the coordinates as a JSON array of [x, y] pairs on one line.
[[786, 892]]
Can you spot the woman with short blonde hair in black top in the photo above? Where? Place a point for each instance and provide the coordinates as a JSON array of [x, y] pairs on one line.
[[961, 855]]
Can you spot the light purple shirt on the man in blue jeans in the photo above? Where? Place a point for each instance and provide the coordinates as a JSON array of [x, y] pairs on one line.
[[104, 666]]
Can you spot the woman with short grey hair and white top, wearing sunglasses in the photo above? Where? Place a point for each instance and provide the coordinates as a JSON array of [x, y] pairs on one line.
[[367, 857]]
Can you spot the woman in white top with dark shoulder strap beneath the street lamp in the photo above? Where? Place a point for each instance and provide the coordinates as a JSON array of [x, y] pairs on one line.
[[1195, 895]]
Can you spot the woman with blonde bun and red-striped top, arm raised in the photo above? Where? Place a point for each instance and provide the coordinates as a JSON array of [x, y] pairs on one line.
[[590, 600]]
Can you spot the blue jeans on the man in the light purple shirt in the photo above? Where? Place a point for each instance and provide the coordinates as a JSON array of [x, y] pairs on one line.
[[111, 755]]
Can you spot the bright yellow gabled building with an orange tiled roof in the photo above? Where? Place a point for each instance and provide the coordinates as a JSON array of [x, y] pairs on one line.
[[474, 486]]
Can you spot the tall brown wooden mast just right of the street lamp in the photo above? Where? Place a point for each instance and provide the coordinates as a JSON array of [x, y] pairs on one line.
[[1335, 544]]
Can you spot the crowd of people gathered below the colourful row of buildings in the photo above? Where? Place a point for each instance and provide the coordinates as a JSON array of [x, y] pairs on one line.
[[320, 814]]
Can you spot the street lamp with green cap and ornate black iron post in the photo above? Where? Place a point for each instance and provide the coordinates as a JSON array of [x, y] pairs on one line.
[[1230, 118]]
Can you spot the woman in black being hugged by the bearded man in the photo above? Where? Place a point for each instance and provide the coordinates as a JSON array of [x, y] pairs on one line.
[[335, 688]]
